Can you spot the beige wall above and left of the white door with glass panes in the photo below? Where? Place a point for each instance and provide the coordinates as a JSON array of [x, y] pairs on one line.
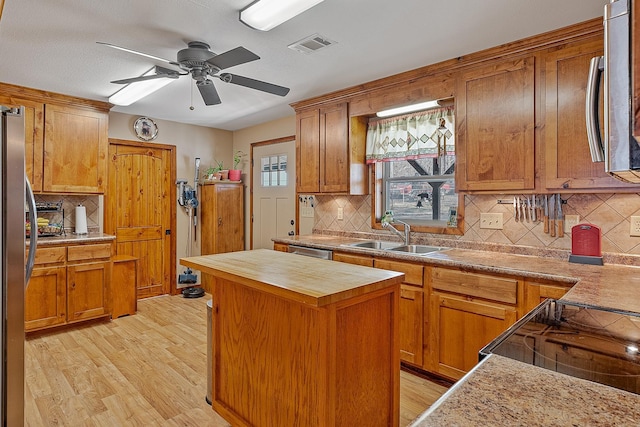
[[242, 140]]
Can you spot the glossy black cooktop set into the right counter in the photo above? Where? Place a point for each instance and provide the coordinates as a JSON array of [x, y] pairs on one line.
[[592, 343]]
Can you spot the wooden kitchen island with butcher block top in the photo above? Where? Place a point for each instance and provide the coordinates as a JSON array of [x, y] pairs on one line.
[[302, 341]]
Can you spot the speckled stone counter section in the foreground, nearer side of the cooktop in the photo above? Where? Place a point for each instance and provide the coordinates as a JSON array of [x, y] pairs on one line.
[[505, 392]]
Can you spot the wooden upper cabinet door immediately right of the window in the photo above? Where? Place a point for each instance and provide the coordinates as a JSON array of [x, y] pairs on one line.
[[496, 121]]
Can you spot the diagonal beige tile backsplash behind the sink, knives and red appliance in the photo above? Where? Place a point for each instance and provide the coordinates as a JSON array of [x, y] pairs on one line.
[[610, 212]]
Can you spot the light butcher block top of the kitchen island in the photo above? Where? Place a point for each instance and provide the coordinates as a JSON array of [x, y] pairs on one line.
[[307, 280]]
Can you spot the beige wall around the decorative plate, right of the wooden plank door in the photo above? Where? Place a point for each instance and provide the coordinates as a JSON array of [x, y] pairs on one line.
[[191, 141]]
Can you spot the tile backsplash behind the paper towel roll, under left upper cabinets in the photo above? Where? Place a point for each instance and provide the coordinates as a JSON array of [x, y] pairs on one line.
[[92, 204]]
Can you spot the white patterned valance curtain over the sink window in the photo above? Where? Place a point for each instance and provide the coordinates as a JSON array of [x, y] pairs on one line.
[[413, 136]]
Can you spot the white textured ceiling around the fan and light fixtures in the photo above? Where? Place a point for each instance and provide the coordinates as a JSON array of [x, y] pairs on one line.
[[50, 45]]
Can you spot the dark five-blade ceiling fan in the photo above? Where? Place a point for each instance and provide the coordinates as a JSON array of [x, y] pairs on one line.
[[199, 61]]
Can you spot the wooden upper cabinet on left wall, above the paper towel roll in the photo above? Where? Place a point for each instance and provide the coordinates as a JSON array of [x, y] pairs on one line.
[[66, 140]]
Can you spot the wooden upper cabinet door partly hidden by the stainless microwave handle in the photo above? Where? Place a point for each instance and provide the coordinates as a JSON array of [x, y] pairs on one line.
[[568, 162]]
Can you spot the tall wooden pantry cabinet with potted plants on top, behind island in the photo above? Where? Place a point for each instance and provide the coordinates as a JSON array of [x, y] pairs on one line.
[[222, 219]]
